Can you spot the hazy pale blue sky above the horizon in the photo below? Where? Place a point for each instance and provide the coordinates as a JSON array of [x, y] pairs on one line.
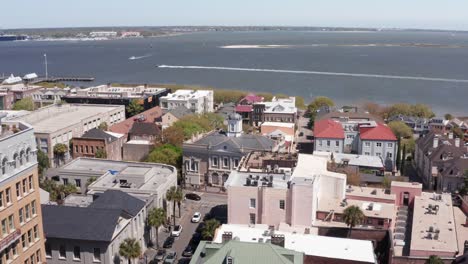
[[440, 14]]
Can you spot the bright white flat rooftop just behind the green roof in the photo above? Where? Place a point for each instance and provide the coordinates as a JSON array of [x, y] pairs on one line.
[[312, 245]]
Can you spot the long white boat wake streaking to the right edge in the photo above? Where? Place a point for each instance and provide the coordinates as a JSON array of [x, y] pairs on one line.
[[345, 74]]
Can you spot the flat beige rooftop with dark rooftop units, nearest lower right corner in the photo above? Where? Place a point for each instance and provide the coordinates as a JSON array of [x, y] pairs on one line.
[[433, 230]]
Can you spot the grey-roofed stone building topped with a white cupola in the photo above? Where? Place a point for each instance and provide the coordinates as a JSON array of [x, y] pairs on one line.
[[208, 160]]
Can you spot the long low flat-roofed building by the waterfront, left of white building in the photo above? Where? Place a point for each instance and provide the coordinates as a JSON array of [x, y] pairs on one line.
[[146, 96]]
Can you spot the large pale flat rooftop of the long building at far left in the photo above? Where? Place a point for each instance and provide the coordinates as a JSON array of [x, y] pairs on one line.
[[53, 118]]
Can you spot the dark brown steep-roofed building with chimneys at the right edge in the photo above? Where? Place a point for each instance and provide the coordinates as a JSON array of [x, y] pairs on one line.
[[441, 161]]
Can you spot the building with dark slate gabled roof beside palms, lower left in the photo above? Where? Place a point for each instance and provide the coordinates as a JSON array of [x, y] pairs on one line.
[[93, 233]]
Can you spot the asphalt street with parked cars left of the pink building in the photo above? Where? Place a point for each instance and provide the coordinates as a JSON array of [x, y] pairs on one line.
[[216, 203]]
